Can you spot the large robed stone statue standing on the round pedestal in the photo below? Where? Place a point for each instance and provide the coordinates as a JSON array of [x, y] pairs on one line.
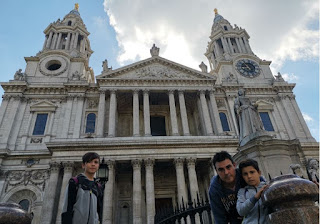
[[247, 116]]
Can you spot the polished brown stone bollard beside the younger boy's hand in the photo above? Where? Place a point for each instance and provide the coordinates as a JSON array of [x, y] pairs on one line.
[[291, 199]]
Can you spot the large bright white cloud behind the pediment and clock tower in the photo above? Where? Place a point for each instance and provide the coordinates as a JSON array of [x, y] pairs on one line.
[[279, 31]]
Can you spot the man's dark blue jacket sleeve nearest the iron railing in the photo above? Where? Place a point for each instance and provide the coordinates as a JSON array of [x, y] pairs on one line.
[[217, 208]]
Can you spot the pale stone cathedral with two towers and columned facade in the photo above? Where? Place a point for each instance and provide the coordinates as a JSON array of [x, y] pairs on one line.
[[156, 123]]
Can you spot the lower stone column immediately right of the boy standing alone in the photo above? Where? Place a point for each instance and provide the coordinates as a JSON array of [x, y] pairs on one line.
[[107, 216]]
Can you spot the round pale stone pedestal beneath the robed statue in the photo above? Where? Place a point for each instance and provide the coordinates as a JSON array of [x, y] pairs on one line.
[[274, 156]]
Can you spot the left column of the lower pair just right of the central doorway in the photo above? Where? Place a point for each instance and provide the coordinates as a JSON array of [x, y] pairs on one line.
[[181, 184]]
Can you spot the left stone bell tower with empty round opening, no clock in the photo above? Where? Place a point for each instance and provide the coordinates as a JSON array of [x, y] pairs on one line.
[[65, 53]]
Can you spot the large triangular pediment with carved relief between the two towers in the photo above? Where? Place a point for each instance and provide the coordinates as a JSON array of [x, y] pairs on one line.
[[156, 68]]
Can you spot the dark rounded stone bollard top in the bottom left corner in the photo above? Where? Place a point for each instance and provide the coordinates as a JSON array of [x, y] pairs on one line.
[[12, 213]]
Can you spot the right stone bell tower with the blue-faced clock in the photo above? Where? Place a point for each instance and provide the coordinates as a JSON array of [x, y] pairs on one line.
[[231, 57]]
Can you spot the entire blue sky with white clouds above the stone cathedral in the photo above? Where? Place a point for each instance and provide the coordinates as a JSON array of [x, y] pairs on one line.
[[285, 32]]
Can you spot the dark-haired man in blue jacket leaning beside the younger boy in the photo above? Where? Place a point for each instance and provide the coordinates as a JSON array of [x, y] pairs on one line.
[[224, 188]]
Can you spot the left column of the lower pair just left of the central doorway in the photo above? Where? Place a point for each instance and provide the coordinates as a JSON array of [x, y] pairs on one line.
[[136, 204]]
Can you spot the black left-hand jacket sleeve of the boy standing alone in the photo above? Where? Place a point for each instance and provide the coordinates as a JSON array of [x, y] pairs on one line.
[[69, 201]]
